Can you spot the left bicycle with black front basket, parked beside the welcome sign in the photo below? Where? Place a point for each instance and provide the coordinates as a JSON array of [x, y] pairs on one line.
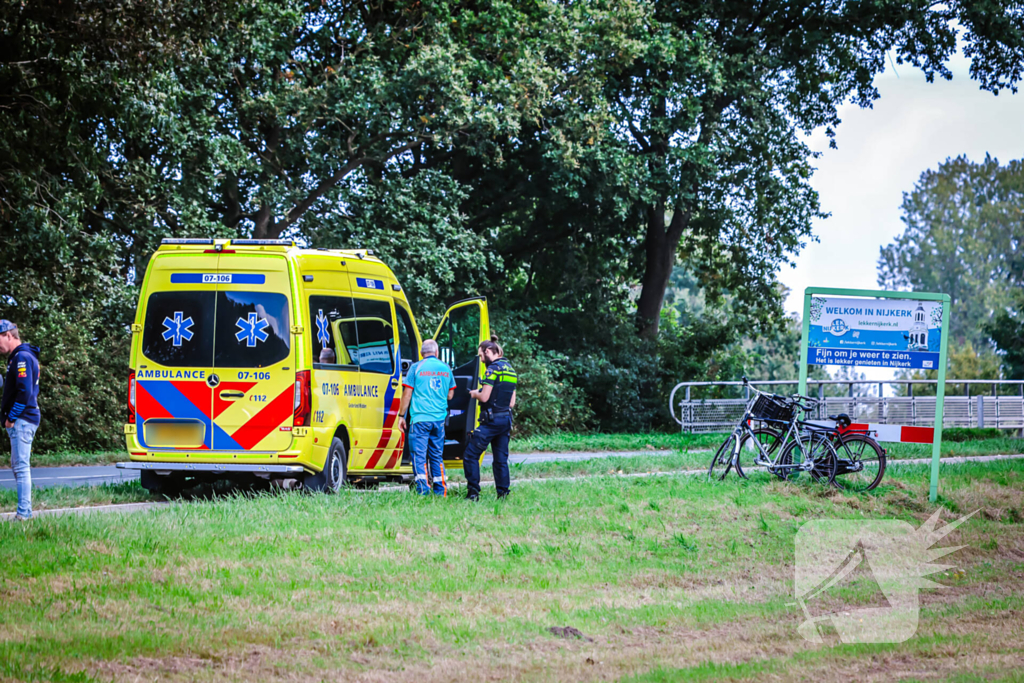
[[799, 451]]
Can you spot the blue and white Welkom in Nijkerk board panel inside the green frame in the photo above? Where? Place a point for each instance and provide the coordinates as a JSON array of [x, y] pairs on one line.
[[875, 333]]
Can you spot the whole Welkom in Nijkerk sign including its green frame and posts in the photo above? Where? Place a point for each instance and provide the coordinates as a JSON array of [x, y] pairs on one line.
[[873, 329]]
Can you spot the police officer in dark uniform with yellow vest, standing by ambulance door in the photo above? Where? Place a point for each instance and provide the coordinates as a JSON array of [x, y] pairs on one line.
[[497, 397]]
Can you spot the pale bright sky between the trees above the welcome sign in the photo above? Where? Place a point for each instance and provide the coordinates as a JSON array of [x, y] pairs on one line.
[[914, 126]]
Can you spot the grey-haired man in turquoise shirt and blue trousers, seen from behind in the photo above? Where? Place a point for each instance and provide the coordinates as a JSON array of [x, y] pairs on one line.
[[426, 392]]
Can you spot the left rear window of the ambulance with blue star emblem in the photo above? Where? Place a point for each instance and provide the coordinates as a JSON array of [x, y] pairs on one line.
[[179, 329]]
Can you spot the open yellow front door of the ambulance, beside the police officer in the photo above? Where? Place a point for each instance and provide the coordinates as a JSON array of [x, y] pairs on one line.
[[465, 325]]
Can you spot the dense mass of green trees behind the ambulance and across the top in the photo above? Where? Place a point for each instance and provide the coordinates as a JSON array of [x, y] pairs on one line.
[[563, 159]]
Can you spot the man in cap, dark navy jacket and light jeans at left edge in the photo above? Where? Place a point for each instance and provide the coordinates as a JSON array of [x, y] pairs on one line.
[[20, 410]]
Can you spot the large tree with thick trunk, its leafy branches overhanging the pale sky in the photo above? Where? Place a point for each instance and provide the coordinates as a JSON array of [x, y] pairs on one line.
[[714, 109]]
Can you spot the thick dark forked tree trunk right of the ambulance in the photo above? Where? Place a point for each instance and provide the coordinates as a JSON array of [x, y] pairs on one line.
[[661, 244]]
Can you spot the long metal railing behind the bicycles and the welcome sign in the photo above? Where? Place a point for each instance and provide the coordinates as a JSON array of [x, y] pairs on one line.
[[1002, 407]]
